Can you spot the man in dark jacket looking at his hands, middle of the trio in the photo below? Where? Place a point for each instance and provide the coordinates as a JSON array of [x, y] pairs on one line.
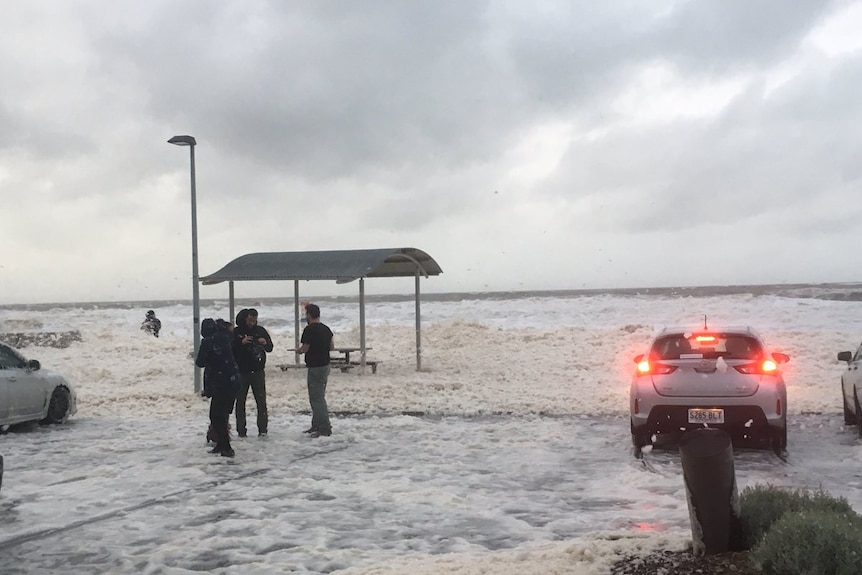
[[251, 343]]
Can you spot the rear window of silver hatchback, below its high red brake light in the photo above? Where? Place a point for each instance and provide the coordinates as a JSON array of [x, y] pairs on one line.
[[709, 346]]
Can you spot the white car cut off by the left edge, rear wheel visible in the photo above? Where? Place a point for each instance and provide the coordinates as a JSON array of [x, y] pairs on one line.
[[30, 393]]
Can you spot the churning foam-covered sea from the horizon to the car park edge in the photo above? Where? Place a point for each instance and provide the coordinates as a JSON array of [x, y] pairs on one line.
[[541, 352]]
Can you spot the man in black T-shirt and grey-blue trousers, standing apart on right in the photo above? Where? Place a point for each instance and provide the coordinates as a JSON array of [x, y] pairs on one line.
[[316, 344]]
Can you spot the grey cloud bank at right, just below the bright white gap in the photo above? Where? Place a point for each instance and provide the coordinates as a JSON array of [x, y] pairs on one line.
[[759, 156]]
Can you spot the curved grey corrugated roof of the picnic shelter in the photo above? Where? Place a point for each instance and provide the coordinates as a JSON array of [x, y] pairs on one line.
[[343, 266]]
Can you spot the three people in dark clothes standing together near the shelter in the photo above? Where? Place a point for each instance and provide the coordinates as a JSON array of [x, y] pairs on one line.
[[234, 358]]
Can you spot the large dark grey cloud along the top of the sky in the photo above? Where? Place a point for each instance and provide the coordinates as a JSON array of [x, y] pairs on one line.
[[328, 91]]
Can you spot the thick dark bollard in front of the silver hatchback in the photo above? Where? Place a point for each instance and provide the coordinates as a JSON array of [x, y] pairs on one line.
[[710, 486]]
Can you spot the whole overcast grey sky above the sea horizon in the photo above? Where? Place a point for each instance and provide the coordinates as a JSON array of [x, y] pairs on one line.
[[523, 145]]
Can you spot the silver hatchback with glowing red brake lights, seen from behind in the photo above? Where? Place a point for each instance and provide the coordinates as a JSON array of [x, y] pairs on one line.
[[717, 378]]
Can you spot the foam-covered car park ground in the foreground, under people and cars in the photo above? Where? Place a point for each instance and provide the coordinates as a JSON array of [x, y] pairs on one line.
[[143, 495]]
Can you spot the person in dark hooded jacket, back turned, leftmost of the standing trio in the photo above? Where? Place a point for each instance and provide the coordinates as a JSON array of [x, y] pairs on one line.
[[221, 379]]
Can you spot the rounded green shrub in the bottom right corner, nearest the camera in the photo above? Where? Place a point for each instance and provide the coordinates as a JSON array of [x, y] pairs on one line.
[[811, 543]]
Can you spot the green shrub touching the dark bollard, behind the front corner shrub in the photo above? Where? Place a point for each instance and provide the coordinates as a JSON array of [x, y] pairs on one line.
[[762, 505]]
